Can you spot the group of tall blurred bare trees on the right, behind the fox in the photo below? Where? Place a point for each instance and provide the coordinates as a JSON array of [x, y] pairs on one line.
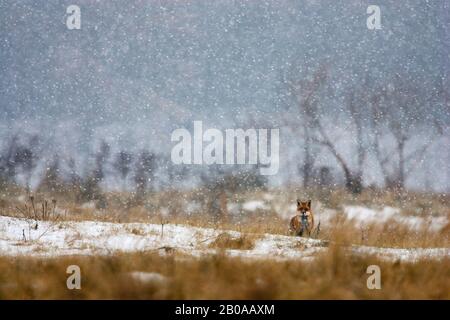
[[382, 120]]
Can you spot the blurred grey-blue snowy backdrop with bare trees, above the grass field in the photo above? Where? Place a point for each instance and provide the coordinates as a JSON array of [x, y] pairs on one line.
[[94, 108]]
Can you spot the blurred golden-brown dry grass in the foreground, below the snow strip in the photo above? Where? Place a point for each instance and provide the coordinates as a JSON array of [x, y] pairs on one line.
[[331, 276]]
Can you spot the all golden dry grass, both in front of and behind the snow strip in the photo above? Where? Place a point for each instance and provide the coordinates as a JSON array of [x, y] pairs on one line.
[[331, 275]]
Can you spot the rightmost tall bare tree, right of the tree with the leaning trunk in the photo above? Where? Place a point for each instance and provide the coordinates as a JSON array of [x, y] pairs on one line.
[[399, 111]]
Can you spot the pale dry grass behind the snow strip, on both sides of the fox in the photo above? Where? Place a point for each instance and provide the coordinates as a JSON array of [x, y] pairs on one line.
[[171, 207]]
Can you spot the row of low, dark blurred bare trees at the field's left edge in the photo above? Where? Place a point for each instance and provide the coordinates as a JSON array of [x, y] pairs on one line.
[[21, 156]]
